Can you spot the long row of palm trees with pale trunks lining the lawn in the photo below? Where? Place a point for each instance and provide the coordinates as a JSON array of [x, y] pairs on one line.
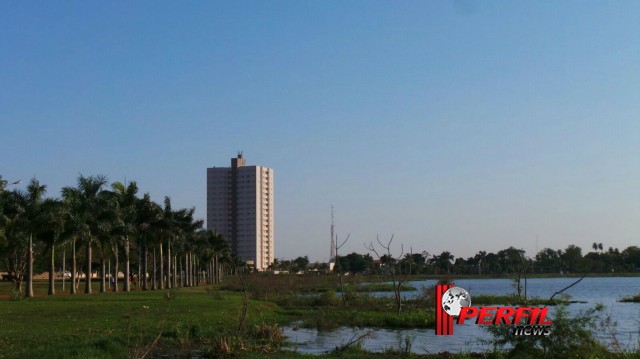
[[110, 224]]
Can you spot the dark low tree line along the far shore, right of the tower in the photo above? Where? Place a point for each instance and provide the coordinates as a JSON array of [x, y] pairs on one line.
[[504, 262]]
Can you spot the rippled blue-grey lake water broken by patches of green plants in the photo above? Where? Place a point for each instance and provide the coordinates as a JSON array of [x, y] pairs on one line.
[[467, 337]]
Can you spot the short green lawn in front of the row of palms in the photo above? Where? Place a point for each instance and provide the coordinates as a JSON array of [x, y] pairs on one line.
[[121, 325]]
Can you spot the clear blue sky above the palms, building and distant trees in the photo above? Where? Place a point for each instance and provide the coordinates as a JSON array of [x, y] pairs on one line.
[[455, 125]]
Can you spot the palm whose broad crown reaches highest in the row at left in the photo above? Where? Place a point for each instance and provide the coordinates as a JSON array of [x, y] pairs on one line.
[[88, 203]]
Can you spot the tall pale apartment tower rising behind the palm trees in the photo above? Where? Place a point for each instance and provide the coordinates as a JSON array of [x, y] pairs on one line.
[[240, 207]]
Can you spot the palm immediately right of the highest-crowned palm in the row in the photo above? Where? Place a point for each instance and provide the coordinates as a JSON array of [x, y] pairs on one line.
[[126, 197]]
